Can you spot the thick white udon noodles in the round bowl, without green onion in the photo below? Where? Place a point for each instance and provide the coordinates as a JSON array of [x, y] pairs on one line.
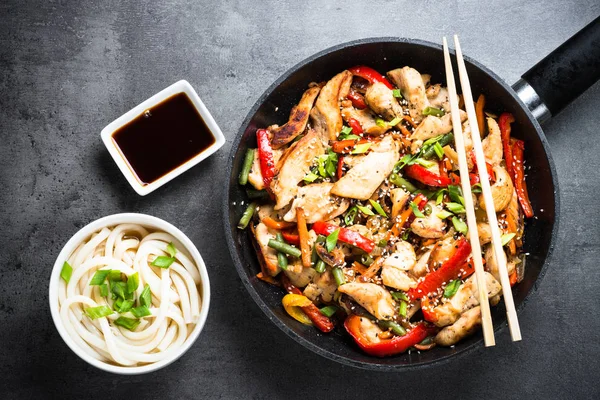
[[175, 304]]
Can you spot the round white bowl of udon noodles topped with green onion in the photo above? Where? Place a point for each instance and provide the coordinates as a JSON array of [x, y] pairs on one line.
[[120, 306]]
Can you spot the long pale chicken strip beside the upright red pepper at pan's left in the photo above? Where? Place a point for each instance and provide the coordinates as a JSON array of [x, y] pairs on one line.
[[295, 167]]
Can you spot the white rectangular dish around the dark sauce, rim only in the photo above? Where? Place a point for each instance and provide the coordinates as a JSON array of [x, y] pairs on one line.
[[178, 87]]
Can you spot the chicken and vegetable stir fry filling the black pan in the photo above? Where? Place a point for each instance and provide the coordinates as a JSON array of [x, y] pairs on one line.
[[357, 212]]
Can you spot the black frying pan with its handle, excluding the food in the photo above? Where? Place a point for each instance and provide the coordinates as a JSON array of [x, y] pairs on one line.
[[545, 89]]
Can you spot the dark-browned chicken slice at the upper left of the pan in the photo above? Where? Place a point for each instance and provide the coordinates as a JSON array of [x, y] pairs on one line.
[[296, 124]]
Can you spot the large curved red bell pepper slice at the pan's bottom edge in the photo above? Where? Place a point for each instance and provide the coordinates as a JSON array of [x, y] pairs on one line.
[[387, 347]]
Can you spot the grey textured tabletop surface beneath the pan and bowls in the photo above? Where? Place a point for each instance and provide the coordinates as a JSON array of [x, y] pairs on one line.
[[68, 68]]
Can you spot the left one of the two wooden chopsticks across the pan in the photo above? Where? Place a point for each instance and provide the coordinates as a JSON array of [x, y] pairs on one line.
[[486, 317]]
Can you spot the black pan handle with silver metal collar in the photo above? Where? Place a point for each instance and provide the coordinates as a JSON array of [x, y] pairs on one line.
[[551, 84]]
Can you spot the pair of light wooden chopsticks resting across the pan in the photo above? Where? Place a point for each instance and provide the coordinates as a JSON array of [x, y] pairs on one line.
[[513, 322]]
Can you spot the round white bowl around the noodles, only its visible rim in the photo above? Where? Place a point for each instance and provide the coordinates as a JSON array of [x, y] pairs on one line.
[[149, 222]]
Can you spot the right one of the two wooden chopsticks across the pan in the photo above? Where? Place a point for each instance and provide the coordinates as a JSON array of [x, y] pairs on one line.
[[511, 313]]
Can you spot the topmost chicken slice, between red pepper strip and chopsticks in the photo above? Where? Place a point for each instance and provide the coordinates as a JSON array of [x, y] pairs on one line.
[[410, 82]]
